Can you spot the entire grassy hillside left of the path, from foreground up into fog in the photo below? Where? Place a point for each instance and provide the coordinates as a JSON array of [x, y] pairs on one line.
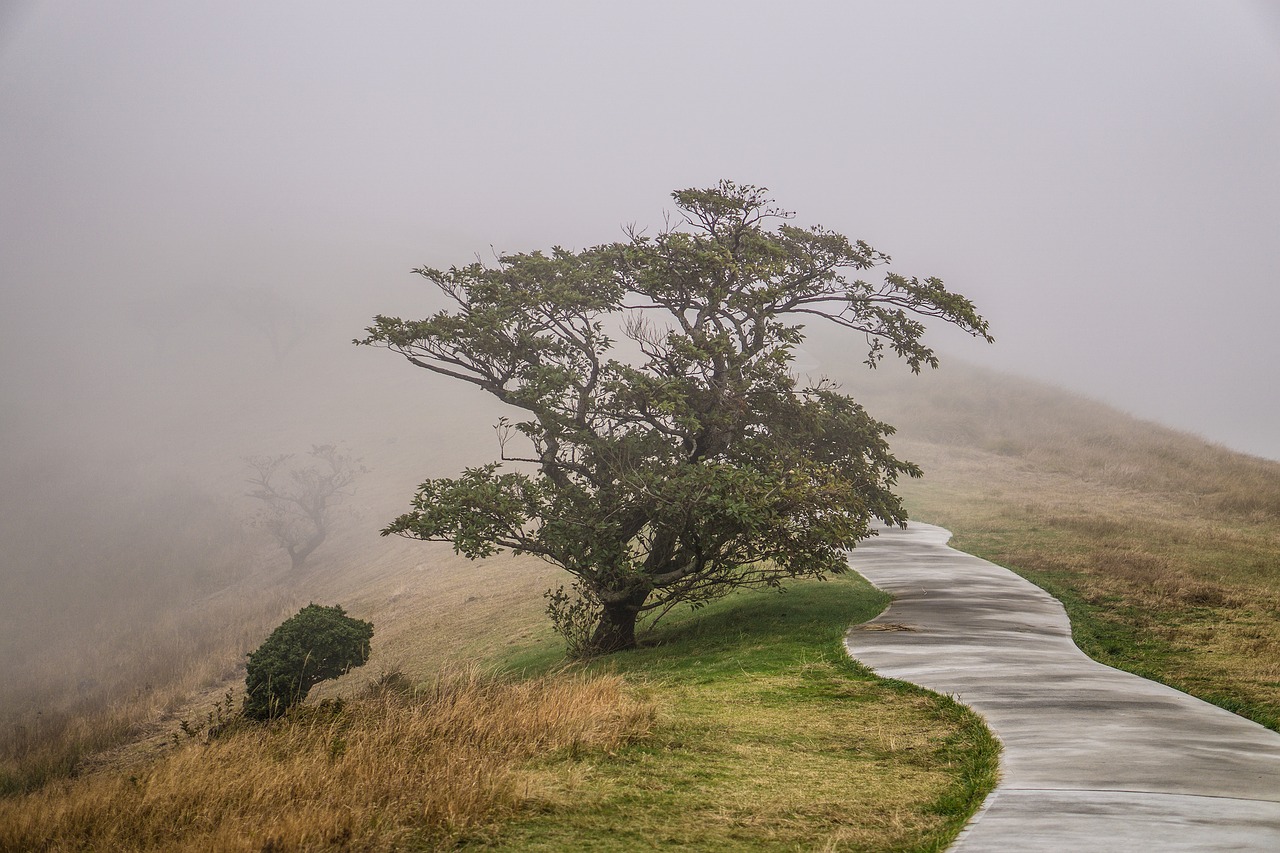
[[706, 723]]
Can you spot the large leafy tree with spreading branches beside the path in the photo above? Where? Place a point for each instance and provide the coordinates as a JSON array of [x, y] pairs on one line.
[[697, 464]]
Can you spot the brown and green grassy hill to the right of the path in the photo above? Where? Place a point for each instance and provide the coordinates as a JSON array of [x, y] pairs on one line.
[[1165, 550]]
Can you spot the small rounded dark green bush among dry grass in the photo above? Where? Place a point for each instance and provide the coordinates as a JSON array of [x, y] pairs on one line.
[[316, 645]]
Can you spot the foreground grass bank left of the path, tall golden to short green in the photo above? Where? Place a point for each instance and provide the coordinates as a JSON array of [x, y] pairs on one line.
[[743, 727]]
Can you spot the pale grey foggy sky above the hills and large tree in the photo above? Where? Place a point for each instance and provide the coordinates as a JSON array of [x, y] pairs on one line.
[[1101, 179]]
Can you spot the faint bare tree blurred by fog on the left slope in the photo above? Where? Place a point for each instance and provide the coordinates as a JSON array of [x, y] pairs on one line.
[[300, 501]]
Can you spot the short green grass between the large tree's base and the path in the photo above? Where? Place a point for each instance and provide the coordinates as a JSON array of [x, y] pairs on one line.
[[770, 740]]
